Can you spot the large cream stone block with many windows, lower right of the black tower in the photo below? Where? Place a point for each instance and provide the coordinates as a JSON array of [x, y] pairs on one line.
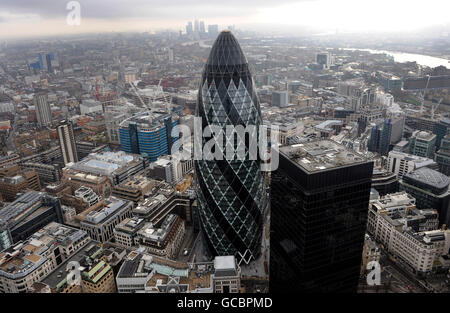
[[407, 233]]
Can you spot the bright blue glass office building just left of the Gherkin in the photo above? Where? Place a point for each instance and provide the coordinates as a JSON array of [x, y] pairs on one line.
[[148, 134]]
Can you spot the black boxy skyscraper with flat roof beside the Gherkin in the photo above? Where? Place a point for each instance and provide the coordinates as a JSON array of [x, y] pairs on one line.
[[319, 203]]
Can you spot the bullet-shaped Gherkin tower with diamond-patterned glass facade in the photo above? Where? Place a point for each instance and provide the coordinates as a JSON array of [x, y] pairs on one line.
[[231, 193]]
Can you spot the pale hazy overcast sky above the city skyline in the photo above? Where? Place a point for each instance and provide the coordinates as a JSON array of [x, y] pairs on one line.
[[20, 18]]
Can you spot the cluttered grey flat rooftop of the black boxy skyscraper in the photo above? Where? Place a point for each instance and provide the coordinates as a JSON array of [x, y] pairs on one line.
[[321, 155]]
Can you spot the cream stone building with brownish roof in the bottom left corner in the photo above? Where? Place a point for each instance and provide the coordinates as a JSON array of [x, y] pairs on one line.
[[28, 262]]
